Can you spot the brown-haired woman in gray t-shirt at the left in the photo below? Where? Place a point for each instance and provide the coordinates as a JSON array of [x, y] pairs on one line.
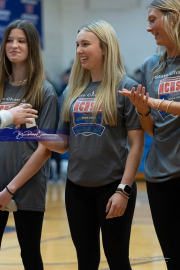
[[24, 165]]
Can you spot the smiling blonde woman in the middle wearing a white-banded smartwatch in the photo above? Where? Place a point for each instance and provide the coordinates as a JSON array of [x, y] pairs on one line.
[[96, 124]]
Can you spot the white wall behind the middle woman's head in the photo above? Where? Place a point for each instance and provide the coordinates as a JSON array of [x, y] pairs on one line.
[[62, 18]]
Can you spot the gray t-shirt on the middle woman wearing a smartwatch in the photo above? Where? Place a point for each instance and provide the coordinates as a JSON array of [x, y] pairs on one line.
[[98, 152]]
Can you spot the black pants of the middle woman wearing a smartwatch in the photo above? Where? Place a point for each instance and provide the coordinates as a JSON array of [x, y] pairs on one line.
[[86, 215]]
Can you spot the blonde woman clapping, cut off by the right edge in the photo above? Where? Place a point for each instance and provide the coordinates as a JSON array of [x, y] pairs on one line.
[[161, 79]]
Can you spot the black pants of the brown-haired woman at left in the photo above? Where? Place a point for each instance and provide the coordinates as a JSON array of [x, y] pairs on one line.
[[28, 227]]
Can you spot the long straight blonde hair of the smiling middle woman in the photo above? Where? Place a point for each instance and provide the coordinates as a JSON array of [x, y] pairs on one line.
[[113, 72]]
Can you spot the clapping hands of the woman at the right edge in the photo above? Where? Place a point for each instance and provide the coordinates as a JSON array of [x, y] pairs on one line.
[[137, 98]]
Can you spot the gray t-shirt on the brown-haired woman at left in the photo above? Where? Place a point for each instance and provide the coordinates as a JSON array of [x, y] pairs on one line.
[[14, 154]]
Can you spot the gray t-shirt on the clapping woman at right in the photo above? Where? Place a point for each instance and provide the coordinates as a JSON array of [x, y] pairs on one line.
[[162, 162]]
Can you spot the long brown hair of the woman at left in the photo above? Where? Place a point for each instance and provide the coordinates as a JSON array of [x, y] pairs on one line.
[[33, 92]]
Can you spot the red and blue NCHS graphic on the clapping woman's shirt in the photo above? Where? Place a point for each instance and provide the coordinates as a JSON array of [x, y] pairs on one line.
[[169, 89]]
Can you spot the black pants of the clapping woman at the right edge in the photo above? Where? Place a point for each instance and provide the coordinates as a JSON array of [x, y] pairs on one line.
[[165, 207]]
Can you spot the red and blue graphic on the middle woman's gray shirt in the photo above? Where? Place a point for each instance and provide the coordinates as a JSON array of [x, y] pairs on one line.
[[83, 120]]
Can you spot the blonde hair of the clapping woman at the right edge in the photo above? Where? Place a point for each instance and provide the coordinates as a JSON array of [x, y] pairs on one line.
[[172, 28]]
